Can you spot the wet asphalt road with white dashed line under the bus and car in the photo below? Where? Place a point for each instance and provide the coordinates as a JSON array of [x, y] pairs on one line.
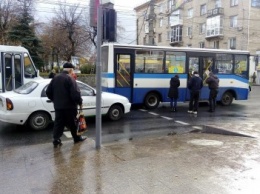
[[241, 118]]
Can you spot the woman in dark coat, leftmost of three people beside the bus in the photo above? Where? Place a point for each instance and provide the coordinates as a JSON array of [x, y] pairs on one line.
[[173, 93]]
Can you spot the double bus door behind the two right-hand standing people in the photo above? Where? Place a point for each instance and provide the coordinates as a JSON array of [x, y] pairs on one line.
[[201, 64]]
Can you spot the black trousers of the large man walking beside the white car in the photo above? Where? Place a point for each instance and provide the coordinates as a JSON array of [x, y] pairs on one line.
[[65, 118]]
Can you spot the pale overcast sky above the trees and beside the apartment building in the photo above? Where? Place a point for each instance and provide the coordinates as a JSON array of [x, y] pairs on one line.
[[125, 14]]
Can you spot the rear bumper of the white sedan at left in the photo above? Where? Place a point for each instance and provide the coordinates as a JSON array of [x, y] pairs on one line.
[[14, 118]]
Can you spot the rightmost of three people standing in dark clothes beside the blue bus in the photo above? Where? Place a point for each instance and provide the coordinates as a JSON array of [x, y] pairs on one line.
[[212, 82]]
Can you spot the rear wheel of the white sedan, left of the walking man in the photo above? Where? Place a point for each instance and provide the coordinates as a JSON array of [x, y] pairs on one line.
[[39, 120]]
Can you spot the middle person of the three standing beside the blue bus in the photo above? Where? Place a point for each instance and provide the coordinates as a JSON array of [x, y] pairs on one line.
[[195, 84]]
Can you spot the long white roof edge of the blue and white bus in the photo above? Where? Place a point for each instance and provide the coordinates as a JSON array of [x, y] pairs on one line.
[[184, 49]]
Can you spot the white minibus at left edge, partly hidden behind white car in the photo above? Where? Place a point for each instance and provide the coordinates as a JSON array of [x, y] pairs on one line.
[[16, 68]]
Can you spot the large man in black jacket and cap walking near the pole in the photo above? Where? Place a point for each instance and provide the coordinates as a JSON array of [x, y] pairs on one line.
[[65, 95]]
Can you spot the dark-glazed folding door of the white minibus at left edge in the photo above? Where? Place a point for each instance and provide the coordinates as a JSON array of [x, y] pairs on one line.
[[11, 71]]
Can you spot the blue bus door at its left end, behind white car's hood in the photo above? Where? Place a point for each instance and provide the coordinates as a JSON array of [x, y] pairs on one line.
[[123, 66]]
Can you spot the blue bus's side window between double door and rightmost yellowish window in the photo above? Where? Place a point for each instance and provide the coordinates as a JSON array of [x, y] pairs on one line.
[[224, 63]]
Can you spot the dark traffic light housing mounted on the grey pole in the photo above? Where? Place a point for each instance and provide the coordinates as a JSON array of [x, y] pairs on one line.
[[109, 25]]
